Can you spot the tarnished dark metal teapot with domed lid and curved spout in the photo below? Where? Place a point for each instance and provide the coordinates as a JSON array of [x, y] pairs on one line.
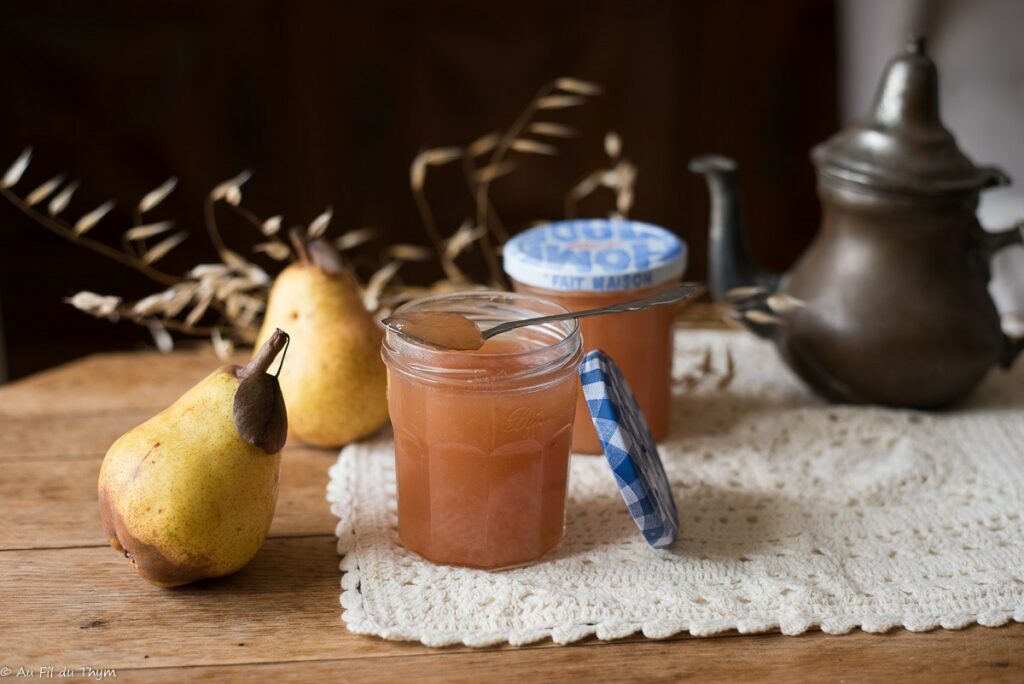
[[894, 302]]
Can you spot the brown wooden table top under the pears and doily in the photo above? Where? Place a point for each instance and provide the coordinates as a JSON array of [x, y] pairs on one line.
[[67, 600]]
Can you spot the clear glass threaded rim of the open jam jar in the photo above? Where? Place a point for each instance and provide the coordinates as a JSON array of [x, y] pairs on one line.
[[421, 360]]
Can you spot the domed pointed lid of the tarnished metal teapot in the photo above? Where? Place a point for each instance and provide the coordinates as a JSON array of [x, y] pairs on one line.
[[901, 144]]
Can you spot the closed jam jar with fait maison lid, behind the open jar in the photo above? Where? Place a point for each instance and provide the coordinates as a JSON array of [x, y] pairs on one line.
[[584, 265]]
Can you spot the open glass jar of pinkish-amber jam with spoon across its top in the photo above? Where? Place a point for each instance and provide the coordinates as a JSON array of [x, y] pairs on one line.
[[483, 438]]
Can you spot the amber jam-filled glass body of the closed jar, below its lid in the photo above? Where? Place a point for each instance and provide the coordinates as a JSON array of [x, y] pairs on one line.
[[642, 345]]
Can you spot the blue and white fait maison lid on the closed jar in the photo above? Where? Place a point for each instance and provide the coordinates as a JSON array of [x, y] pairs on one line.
[[595, 255]]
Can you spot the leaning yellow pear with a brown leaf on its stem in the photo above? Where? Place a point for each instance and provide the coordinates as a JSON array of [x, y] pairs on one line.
[[191, 493]]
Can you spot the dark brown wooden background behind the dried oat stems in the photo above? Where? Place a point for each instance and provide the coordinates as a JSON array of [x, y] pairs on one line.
[[328, 103]]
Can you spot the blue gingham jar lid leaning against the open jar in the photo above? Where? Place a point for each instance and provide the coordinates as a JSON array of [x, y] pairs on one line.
[[630, 449]]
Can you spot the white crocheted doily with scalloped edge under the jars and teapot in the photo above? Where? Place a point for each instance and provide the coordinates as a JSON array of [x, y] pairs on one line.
[[794, 515]]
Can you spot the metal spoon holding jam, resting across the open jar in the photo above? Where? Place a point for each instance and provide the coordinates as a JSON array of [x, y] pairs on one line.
[[437, 328]]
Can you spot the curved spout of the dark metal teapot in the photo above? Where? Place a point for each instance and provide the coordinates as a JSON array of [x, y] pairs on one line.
[[730, 262]]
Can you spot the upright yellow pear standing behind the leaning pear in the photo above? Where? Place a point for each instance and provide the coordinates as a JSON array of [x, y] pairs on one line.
[[335, 381]]
